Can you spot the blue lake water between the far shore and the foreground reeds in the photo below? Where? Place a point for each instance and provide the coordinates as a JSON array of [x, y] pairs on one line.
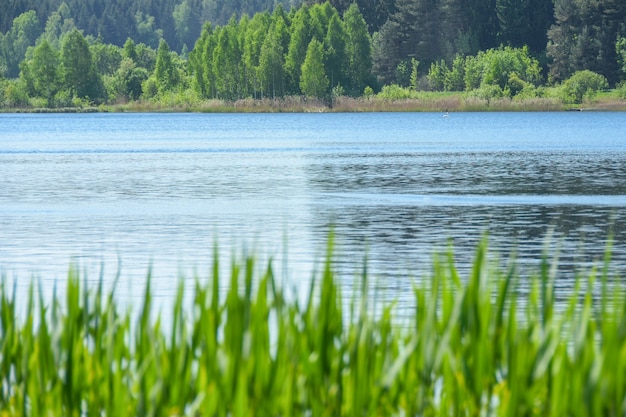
[[130, 191]]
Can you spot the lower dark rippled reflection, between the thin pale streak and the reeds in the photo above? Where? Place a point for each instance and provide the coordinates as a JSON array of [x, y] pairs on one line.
[[400, 241]]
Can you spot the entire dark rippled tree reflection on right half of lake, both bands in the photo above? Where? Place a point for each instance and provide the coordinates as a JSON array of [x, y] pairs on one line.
[[400, 237]]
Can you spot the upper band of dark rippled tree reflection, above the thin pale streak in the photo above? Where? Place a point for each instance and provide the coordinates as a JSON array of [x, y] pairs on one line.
[[485, 173]]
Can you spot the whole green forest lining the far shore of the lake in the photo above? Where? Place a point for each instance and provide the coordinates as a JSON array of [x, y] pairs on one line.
[[69, 53]]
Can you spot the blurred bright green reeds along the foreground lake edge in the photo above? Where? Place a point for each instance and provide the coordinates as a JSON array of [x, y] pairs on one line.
[[474, 346]]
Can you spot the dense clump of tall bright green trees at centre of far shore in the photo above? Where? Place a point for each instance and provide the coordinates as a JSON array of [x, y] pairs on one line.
[[264, 56]]
